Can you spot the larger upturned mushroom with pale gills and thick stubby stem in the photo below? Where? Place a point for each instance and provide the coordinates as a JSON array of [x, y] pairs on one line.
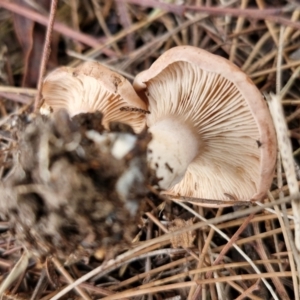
[[212, 134]]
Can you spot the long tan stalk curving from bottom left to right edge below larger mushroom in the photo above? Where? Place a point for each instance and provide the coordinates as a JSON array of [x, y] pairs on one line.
[[165, 237]]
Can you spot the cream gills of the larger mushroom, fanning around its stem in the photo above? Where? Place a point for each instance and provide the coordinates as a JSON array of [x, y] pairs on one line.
[[228, 164]]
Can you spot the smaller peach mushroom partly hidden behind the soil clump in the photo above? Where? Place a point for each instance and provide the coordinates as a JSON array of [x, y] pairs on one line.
[[92, 87]]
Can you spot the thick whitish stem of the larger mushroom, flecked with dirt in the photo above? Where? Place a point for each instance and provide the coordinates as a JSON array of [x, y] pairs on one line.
[[173, 147]]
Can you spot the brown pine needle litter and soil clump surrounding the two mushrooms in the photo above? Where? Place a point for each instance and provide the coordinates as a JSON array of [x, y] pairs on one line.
[[60, 163]]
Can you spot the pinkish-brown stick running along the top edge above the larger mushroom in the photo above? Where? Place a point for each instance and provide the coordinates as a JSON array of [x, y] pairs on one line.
[[268, 14]]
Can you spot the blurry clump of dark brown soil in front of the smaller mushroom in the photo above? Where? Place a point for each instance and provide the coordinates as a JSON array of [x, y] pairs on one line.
[[74, 187]]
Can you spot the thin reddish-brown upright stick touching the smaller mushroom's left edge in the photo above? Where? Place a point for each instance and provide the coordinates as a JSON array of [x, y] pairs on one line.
[[46, 54]]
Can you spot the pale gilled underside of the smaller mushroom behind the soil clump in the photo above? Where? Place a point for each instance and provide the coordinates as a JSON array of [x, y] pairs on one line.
[[78, 93]]
